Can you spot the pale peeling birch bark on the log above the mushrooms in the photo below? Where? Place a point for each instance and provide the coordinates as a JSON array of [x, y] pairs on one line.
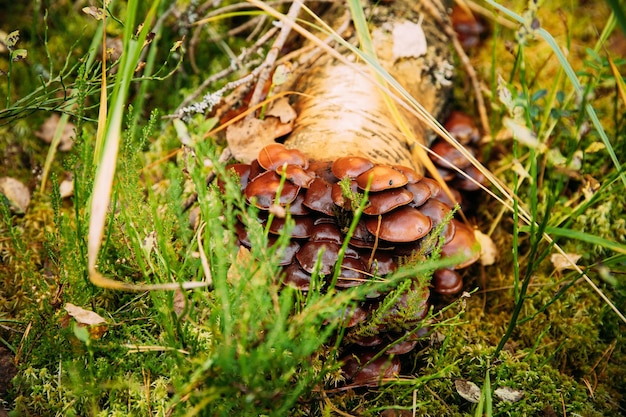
[[342, 111]]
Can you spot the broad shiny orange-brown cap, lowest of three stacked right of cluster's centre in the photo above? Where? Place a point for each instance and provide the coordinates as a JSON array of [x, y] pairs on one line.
[[404, 224]]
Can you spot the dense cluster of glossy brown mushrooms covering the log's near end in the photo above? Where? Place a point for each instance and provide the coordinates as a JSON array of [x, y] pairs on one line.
[[401, 209]]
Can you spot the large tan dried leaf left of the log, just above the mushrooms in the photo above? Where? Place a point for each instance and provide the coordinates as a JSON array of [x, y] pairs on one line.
[[247, 137]]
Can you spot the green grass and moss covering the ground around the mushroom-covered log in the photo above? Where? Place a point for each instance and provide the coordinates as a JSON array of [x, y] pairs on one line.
[[244, 346]]
